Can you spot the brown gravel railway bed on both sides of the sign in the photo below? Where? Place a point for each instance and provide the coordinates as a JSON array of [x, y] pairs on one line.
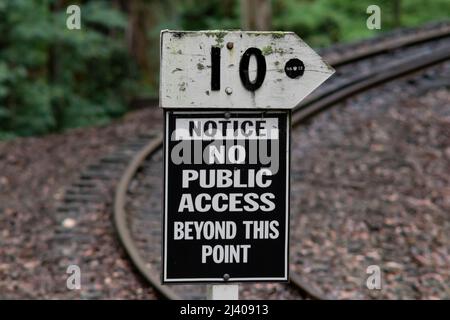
[[369, 186]]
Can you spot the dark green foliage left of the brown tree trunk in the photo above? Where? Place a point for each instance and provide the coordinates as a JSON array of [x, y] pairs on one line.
[[52, 78]]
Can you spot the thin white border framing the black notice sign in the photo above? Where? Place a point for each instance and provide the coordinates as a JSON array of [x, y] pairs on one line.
[[288, 160]]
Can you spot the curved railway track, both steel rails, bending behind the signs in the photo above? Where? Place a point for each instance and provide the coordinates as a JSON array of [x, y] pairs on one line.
[[331, 94]]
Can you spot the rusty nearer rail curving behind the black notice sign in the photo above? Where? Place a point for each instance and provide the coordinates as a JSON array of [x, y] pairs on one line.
[[301, 113]]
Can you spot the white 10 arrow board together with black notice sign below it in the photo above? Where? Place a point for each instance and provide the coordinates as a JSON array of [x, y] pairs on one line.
[[227, 99]]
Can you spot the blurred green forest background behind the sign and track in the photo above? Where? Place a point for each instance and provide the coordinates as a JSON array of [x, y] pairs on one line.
[[52, 78]]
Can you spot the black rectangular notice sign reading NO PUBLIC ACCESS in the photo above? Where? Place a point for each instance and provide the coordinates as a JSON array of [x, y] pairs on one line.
[[226, 196]]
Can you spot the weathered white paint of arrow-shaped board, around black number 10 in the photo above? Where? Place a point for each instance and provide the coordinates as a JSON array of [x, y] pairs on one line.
[[185, 78]]
